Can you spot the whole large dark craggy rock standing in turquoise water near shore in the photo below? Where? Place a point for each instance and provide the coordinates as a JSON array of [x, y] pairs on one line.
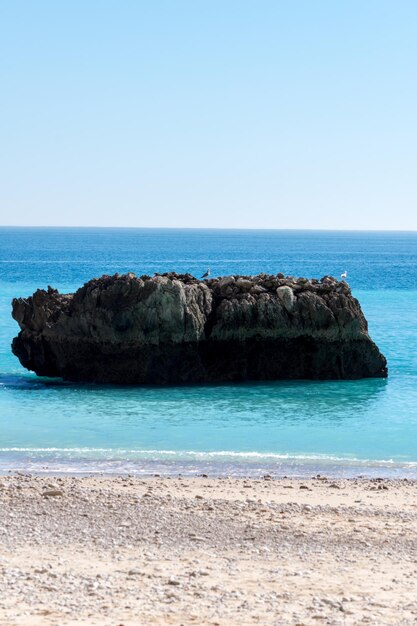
[[174, 329]]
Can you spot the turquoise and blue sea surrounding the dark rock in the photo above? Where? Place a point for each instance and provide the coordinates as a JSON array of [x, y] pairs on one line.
[[366, 427]]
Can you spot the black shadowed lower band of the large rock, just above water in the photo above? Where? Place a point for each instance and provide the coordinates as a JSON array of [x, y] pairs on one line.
[[301, 358]]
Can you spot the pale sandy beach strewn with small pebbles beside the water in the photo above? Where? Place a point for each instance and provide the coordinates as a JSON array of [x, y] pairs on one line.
[[128, 551]]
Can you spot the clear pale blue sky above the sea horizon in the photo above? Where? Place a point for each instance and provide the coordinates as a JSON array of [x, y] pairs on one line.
[[215, 113]]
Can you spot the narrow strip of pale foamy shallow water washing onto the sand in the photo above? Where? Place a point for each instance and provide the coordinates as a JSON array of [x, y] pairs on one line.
[[302, 468]]
